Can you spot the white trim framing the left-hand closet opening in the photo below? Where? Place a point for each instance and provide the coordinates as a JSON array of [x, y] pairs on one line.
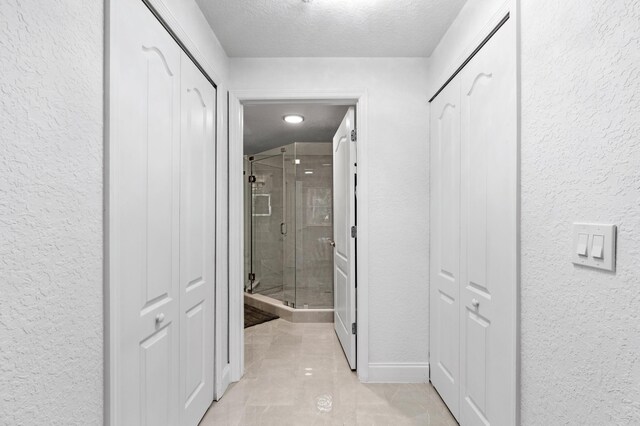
[[222, 370]]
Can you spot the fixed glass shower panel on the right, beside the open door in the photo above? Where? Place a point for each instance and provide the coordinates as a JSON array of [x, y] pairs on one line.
[[314, 225]]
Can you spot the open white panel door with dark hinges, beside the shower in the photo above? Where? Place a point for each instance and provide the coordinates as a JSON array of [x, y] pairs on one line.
[[344, 266]]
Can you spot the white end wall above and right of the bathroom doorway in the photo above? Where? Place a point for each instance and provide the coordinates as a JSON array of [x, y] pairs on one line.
[[398, 184]]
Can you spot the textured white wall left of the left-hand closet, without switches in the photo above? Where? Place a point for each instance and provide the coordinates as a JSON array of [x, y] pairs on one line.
[[51, 212]]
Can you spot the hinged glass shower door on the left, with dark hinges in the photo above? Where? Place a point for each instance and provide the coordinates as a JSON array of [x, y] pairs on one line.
[[267, 211]]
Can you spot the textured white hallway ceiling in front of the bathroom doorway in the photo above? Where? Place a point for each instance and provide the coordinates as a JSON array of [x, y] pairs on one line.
[[327, 28]]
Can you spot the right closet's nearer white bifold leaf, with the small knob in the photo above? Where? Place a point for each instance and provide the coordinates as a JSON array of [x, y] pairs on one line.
[[489, 155]]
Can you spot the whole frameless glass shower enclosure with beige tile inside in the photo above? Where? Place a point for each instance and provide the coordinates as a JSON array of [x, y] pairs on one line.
[[289, 225]]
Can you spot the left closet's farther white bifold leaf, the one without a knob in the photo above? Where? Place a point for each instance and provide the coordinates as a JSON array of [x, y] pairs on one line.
[[197, 239]]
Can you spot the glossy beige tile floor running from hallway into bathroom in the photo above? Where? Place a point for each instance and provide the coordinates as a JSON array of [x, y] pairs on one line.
[[296, 374]]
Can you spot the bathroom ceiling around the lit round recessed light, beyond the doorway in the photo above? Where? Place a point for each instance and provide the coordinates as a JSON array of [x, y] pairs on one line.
[[265, 129]]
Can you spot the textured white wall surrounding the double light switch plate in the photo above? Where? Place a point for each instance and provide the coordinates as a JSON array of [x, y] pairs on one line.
[[580, 162]]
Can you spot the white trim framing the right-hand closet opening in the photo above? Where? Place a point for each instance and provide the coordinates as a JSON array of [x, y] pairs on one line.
[[511, 8]]
